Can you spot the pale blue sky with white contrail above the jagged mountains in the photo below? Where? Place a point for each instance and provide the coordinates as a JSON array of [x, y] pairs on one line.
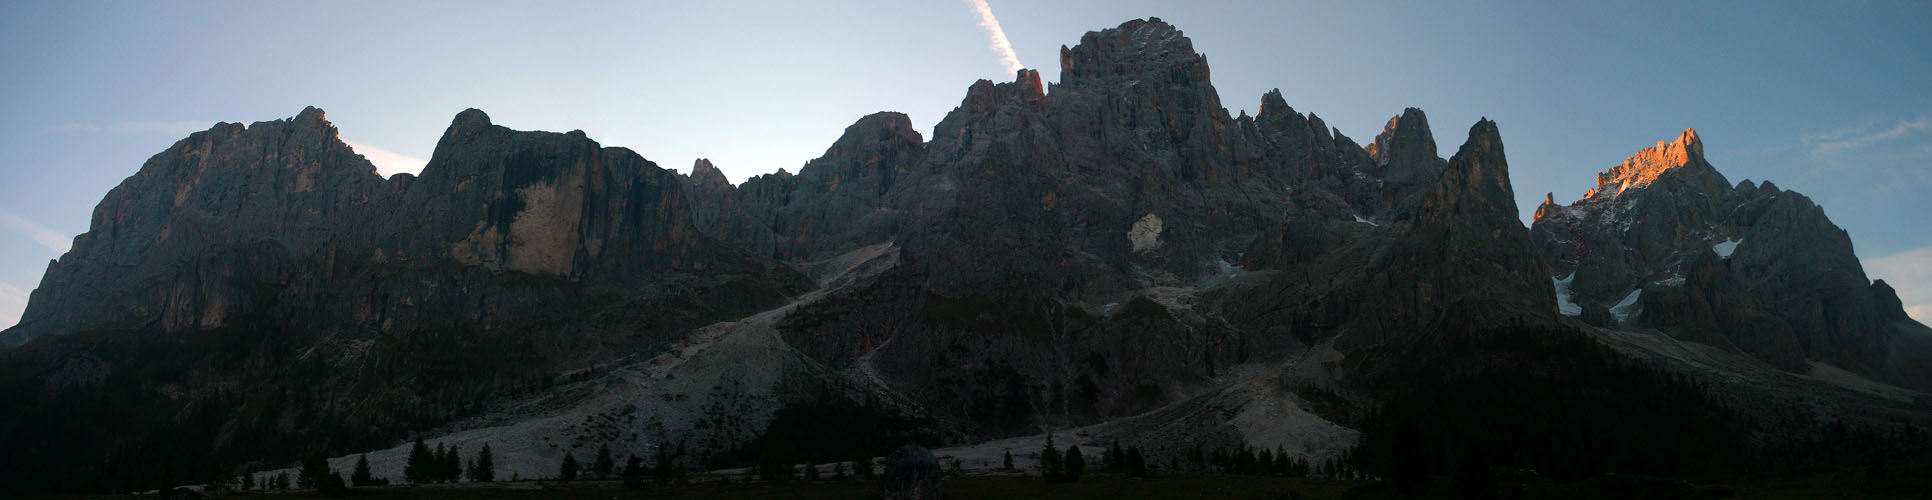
[[1823, 97]]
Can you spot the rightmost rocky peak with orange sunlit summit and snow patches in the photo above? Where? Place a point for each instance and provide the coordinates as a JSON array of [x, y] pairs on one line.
[[1666, 242]]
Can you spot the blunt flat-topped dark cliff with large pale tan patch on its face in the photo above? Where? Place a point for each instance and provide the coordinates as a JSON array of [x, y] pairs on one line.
[[552, 206]]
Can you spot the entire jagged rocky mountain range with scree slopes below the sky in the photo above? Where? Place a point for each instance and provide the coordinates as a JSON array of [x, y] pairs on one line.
[[1112, 252]]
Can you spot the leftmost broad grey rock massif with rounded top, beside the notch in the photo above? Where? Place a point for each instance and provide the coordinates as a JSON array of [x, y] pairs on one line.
[[206, 231]]
